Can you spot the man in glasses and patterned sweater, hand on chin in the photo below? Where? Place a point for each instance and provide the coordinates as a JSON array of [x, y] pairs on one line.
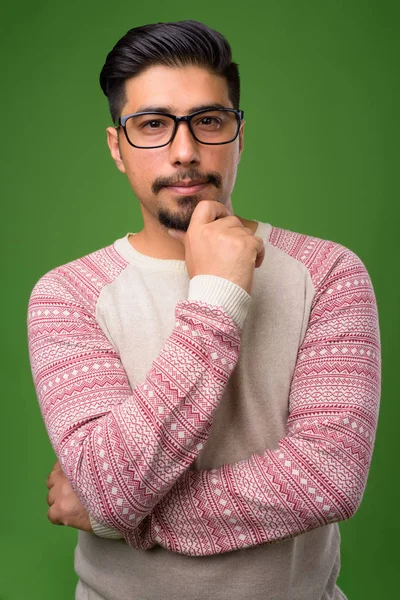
[[210, 384]]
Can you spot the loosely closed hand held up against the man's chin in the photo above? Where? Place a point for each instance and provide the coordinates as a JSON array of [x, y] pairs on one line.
[[216, 243]]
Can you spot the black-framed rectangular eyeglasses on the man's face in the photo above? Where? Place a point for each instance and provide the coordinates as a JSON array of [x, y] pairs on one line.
[[157, 129]]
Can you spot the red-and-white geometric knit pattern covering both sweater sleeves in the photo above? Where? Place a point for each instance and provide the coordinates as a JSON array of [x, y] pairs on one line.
[[127, 452]]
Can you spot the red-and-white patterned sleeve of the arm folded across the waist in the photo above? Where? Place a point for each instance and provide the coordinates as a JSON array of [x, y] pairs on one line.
[[317, 473]]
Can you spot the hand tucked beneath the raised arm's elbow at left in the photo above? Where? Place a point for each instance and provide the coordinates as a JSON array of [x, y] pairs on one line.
[[65, 506]]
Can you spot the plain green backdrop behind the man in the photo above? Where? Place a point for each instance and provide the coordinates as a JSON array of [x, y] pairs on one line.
[[320, 91]]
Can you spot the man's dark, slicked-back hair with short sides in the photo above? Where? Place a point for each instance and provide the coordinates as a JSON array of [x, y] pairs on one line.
[[175, 44]]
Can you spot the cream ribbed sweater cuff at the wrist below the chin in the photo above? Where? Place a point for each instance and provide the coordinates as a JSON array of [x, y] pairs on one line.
[[221, 292]]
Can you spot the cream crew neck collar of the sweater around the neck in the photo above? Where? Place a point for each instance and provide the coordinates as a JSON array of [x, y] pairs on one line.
[[134, 257]]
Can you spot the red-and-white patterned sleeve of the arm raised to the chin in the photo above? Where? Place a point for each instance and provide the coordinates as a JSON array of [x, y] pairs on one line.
[[122, 449]]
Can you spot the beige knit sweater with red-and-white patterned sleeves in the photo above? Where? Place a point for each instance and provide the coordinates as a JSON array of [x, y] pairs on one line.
[[221, 435]]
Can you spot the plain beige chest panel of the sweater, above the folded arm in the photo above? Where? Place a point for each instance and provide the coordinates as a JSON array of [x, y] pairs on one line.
[[253, 411]]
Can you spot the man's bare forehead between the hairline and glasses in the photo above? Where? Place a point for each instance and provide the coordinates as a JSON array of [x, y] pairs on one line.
[[180, 88]]
